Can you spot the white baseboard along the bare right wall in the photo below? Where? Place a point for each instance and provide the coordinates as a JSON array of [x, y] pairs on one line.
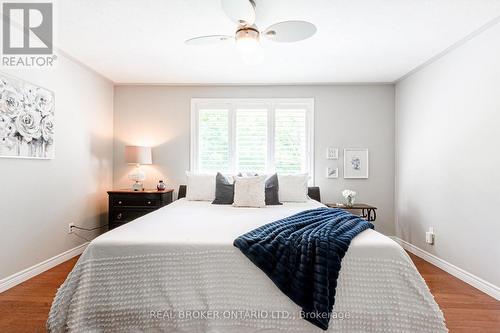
[[457, 272]]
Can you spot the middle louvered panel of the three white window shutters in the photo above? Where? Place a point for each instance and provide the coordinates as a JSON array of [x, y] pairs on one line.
[[251, 140]]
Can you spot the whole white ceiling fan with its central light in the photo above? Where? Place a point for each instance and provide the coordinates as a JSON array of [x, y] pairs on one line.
[[247, 34]]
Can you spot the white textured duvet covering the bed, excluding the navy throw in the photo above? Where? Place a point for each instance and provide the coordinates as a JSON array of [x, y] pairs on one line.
[[176, 270]]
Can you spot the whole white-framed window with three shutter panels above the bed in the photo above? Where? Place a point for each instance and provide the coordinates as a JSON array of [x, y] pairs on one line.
[[252, 135]]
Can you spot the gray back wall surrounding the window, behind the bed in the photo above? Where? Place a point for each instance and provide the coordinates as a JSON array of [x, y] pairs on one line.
[[345, 117]]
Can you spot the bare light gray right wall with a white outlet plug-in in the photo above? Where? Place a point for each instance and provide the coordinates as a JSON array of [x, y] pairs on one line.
[[448, 156]]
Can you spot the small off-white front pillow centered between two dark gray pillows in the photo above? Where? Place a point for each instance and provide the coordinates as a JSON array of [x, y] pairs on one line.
[[250, 191]]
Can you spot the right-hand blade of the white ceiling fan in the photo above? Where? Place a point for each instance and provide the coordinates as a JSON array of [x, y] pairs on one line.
[[290, 31]]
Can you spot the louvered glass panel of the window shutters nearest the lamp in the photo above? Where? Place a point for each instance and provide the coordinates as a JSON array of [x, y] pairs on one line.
[[213, 140]]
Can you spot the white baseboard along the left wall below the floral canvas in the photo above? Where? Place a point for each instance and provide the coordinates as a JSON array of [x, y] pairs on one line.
[[28, 273]]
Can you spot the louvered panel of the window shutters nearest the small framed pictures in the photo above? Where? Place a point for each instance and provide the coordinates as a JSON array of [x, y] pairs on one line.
[[290, 141]]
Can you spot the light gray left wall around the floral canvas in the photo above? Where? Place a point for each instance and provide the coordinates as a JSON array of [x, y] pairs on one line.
[[38, 198]]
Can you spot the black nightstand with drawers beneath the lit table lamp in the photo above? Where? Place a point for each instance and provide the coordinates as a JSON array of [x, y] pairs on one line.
[[125, 205]]
